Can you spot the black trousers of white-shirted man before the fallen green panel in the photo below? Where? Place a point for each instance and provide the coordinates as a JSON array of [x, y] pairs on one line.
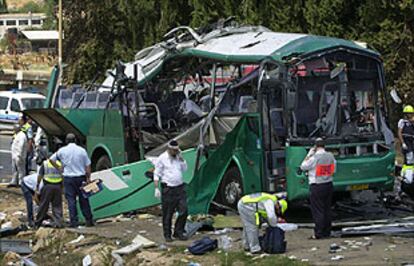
[[173, 199]]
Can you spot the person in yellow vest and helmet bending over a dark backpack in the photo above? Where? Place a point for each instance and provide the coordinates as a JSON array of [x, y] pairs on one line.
[[254, 209]]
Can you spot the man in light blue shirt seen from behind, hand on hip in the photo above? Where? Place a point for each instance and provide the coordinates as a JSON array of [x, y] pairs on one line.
[[76, 170]]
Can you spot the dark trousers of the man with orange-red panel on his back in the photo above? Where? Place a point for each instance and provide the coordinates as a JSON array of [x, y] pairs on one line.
[[320, 202]]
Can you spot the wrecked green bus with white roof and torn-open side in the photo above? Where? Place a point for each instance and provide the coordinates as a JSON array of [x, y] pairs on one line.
[[244, 103]]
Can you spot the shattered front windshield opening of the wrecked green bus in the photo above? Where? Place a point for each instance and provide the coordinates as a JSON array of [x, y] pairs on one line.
[[330, 106]]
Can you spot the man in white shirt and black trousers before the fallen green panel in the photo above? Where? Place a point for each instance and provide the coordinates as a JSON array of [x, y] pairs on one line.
[[169, 168]]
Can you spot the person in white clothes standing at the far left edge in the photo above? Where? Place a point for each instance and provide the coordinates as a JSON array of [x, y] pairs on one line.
[[19, 153]]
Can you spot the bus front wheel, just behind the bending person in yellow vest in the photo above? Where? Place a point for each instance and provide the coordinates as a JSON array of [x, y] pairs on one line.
[[231, 188]]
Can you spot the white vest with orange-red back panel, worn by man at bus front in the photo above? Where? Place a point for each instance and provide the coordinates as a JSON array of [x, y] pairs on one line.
[[325, 167]]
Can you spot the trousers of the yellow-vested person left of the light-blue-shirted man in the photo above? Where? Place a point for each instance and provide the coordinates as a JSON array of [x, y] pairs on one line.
[[50, 194]]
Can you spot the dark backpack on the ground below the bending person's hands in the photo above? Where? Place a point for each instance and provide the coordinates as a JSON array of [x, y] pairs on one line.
[[273, 240]]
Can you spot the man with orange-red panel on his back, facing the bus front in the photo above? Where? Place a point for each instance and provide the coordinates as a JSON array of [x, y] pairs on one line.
[[321, 166]]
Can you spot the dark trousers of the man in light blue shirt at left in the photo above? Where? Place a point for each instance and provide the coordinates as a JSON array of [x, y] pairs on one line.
[[72, 192]]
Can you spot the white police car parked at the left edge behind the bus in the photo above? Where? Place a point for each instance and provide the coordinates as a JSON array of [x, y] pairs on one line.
[[12, 103]]
